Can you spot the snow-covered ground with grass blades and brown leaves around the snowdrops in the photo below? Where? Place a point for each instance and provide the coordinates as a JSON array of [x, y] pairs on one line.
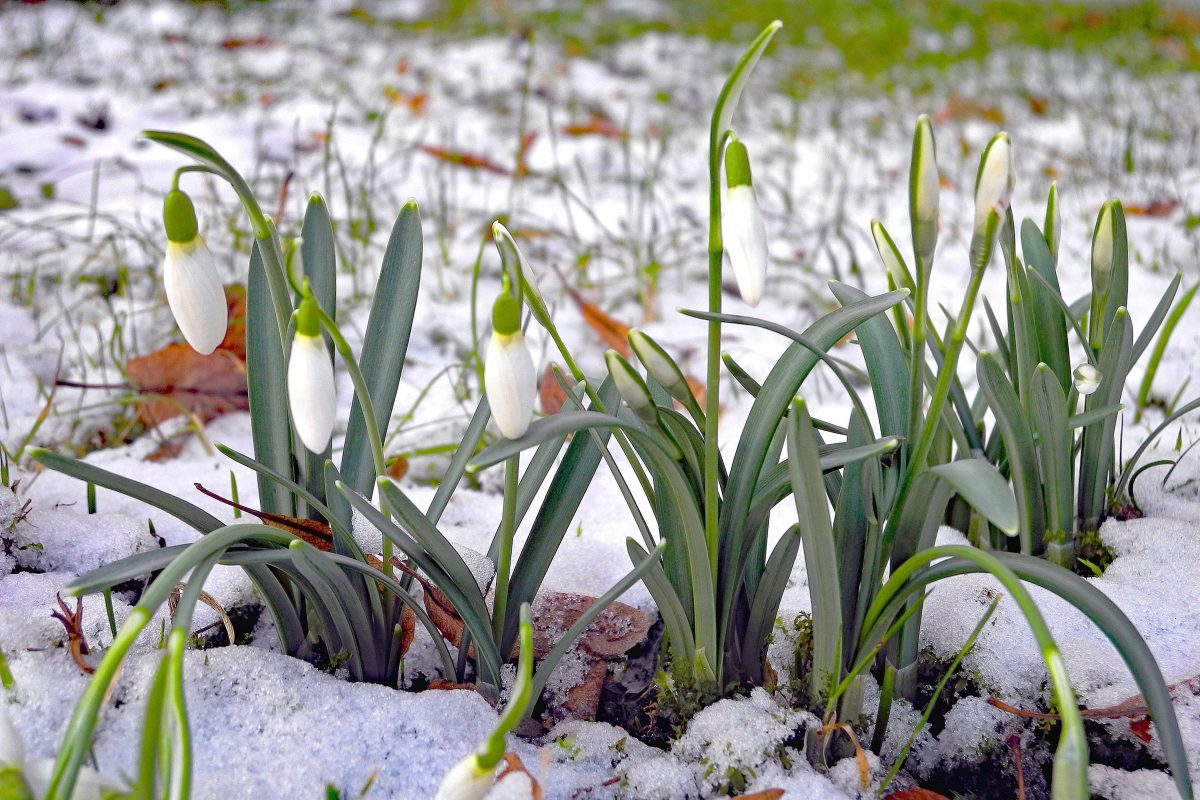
[[619, 210]]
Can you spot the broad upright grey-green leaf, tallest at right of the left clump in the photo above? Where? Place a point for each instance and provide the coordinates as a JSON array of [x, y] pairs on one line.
[[385, 347]]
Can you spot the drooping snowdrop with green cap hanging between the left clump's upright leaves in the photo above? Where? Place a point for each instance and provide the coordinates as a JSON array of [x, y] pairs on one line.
[[311, 393]]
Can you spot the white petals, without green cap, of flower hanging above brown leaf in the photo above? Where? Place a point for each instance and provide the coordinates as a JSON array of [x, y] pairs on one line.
[[196, 294]]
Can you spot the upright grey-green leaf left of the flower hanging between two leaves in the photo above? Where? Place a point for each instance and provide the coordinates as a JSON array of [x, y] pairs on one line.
[[268, 392]]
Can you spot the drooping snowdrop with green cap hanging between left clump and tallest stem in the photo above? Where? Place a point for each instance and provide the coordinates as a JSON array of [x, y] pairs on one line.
[[509, 378]]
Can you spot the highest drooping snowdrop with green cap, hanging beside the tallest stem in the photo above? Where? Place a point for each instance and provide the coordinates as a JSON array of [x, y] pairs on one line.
[[742, 227]]
